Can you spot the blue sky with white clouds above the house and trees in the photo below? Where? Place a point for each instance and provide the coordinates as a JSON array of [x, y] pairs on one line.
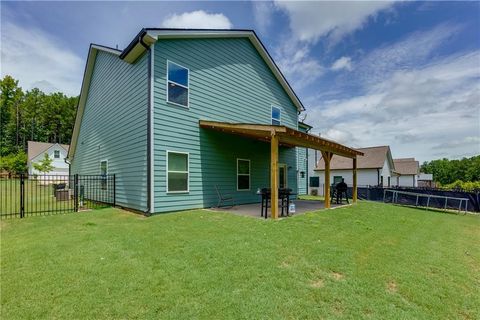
[[404, 74]]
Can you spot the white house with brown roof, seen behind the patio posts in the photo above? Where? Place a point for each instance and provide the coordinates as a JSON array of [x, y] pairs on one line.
[[375, 168]]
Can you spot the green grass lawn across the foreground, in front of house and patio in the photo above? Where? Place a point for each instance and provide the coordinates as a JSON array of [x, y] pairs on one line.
[[365, 261]]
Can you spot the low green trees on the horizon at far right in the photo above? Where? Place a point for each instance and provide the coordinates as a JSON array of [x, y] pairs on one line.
[[447, 171]]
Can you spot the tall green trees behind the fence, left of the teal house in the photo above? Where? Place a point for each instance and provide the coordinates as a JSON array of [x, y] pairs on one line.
[[31, 115]]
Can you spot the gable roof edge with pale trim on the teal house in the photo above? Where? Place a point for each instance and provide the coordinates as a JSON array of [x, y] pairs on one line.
[[148, 36]]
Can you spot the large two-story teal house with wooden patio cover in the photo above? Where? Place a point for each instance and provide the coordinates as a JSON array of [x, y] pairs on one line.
[[179, 112]]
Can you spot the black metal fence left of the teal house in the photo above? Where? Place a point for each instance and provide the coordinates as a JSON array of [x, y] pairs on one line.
[[31, 195]]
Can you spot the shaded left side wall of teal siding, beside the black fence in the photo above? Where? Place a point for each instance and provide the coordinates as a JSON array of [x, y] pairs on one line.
[[114, 127]]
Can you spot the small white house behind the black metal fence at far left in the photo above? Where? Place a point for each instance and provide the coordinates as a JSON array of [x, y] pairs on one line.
[[57, 152]]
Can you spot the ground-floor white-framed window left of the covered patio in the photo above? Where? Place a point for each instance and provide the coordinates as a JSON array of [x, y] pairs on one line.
[[177, 172]]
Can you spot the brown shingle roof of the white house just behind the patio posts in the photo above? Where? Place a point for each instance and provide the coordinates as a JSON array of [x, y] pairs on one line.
[[373, 158]]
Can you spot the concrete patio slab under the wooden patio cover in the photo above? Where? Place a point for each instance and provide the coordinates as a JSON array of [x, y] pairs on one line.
[[253, 209]]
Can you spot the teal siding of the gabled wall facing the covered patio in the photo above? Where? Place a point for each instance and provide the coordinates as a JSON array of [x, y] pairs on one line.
[[230, 82]]
